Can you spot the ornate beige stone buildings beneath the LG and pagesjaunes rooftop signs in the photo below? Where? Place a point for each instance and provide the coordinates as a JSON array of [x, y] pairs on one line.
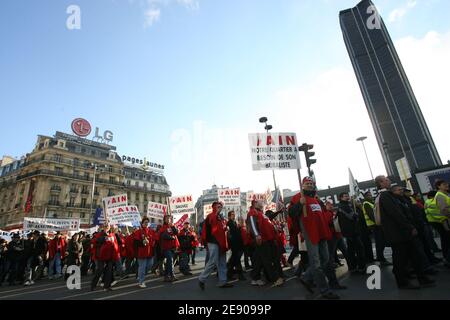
[[56, 180]]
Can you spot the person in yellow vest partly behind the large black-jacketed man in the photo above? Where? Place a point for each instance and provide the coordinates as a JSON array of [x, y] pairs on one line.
[[369, 215]]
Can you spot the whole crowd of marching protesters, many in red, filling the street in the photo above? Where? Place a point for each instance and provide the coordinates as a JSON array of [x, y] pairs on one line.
[[317, 231]]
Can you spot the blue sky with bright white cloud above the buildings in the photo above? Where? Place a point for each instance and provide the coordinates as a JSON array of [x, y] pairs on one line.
[[183, 82]]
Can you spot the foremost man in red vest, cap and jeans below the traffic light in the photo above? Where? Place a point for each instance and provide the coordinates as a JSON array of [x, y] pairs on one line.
[[307, 210]]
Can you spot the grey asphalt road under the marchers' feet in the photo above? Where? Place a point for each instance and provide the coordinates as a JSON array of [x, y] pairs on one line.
[[187, 289]]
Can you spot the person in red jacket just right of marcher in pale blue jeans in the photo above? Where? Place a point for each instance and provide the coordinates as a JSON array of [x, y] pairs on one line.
[[168, 242]]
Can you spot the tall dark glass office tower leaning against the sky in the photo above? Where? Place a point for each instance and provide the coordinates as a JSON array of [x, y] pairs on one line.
[[396, 117]]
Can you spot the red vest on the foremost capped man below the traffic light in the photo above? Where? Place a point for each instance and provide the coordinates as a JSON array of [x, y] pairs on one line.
[[315, 224]]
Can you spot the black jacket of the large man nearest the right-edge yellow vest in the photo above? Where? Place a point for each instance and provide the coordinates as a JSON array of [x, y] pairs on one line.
[[395, 218]]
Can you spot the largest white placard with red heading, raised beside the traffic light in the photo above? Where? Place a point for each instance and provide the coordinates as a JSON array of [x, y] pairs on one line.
[[274, 151]]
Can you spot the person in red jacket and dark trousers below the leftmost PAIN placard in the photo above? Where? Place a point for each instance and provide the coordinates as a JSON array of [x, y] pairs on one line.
[[106, 254]]
